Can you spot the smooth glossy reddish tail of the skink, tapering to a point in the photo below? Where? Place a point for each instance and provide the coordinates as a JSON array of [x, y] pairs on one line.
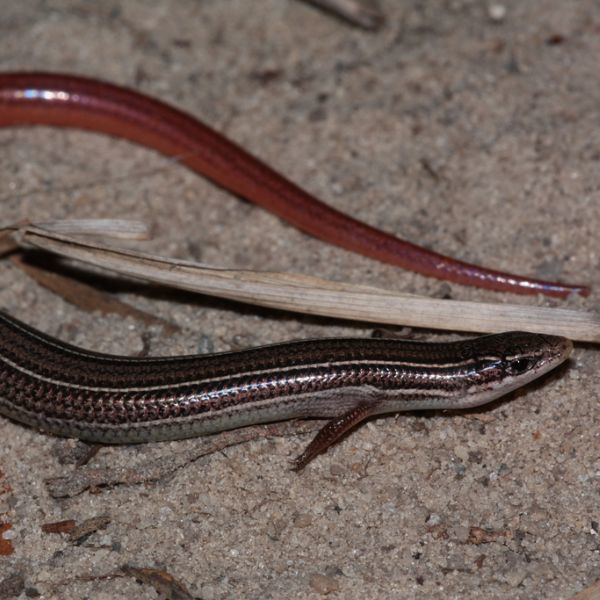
[[68, 101]]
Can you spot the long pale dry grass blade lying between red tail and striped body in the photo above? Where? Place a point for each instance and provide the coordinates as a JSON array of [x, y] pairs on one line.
[[311, 295]]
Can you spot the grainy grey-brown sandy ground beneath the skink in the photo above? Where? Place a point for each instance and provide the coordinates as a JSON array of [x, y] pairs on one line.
[[473, 136]]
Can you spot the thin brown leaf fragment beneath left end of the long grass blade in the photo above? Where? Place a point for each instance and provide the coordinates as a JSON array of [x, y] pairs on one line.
[[87, 297]]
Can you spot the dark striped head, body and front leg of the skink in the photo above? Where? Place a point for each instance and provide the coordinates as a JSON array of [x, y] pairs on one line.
[[69, 391]]
